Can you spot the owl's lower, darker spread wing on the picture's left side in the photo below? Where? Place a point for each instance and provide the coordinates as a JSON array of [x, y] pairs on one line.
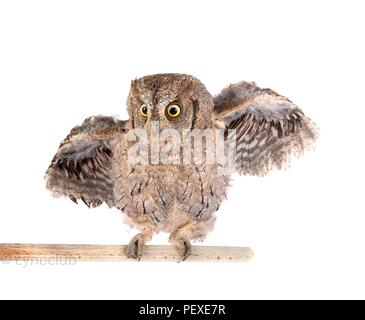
[[81, 168]]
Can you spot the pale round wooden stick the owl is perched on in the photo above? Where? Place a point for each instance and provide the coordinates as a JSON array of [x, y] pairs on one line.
[[80, 252]]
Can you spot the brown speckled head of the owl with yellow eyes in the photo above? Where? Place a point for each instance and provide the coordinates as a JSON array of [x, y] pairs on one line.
[[174, 100]]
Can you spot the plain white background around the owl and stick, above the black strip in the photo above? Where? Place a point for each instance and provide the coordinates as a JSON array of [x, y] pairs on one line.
[[62, 61]]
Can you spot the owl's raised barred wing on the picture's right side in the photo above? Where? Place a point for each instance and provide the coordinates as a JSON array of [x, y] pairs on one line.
[[269, 128]]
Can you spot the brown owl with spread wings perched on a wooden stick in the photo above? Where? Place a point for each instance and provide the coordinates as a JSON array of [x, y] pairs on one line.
[[92, 164]]
